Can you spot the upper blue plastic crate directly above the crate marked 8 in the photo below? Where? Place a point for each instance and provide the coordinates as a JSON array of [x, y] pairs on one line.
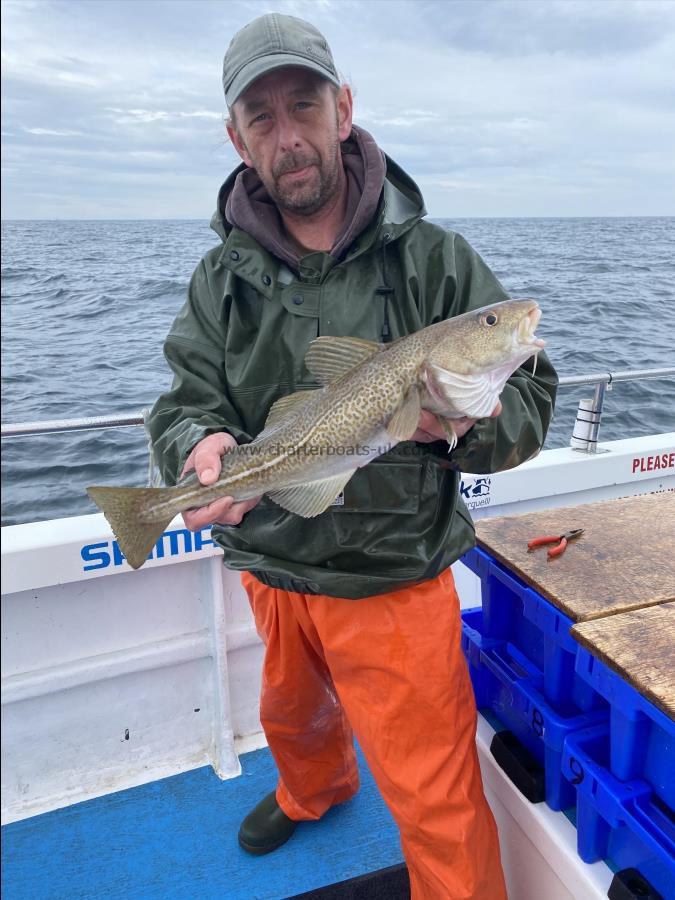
[[514, 612]]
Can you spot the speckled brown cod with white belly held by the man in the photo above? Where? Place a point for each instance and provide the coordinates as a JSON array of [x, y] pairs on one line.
[[372, 395]]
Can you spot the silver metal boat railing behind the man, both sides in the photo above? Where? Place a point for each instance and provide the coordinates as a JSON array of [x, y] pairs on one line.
[[584, 436]]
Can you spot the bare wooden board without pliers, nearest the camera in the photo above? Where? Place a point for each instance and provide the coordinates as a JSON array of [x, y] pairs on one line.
[[640, 646]]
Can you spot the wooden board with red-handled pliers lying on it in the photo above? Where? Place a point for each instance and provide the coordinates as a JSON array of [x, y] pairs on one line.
[[624, 560]]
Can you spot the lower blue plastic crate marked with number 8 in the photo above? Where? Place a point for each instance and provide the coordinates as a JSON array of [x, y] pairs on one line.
[[507, 683]]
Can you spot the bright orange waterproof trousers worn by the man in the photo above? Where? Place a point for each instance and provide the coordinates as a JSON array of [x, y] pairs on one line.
[[391, 667]]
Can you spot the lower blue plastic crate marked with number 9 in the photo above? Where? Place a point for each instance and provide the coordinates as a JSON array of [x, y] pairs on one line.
[[619, 821]]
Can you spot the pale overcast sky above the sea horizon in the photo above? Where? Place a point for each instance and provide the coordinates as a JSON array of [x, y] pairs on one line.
[[114, 108]]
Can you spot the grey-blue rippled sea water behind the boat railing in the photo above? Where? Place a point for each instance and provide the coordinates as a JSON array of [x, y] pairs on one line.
[[86, 307]]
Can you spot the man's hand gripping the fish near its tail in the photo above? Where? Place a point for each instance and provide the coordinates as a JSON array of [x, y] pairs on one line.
[[205, 460]]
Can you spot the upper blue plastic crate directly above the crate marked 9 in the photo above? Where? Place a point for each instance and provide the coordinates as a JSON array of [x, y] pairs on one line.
[[642, 738]]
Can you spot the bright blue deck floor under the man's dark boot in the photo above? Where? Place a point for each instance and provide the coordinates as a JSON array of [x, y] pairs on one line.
[[177, 838]]
